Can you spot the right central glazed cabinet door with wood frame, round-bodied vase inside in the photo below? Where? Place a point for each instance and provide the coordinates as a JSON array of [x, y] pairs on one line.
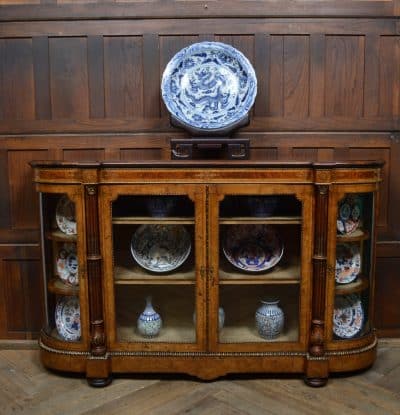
[[261, 242]]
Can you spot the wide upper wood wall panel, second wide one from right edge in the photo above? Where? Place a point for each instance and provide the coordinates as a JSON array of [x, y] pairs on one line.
[[344, 76]]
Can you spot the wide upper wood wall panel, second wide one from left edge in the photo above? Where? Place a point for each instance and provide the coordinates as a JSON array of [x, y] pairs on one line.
[[69, 78]]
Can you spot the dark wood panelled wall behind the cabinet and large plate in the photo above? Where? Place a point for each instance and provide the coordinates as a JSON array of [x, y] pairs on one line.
[[74, 87]]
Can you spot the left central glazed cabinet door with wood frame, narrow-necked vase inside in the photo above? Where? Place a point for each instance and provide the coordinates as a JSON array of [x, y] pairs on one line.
[[154, 264]]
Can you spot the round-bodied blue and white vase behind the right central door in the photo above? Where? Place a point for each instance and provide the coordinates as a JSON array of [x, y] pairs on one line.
[[269, 319]]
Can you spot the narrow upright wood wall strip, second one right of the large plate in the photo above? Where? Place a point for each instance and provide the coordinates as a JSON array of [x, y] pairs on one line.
[[317, 75]]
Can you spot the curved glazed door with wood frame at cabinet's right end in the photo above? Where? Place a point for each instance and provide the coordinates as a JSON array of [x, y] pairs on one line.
[[352, 234]]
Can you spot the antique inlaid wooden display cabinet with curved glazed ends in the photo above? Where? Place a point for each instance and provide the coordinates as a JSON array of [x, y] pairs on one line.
[[166, 267]]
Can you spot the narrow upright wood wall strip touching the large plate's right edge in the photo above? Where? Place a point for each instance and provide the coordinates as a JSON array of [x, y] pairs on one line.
[[262, 68]]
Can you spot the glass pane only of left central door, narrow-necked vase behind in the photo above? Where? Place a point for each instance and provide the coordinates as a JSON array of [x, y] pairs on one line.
[[154, 268]]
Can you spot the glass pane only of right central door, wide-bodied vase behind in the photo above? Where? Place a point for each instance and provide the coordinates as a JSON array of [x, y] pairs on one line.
[[260, 268]]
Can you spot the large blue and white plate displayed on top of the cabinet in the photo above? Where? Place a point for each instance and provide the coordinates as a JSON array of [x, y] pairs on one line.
[[209, 86]]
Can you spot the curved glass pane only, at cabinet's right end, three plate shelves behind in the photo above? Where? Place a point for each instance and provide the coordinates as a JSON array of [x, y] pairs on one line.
[[351, 316]]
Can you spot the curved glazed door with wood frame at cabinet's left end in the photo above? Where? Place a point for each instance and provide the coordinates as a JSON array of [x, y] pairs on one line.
[[64, 253]]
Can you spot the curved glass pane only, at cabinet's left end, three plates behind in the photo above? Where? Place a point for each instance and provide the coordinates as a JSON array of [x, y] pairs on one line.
[[62, 279]]
